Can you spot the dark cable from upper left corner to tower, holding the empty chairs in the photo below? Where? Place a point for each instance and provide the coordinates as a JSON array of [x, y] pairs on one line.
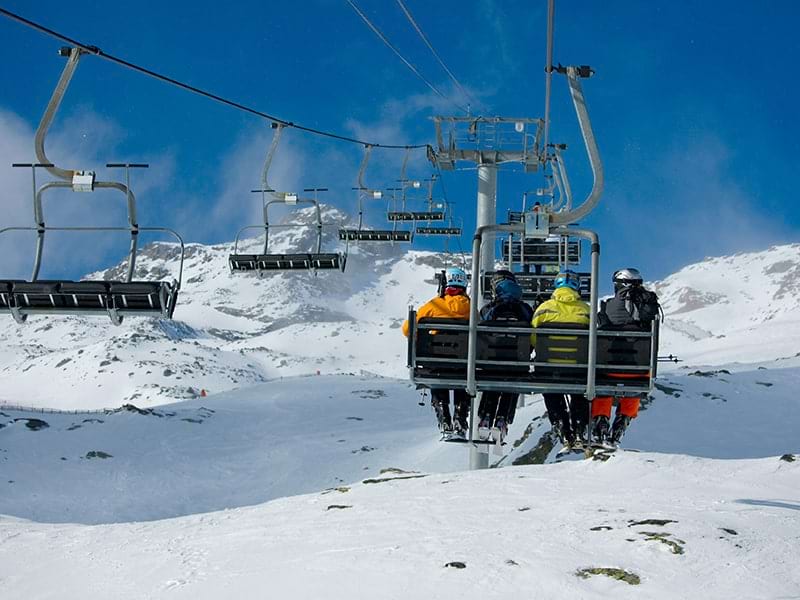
[[89, 49]]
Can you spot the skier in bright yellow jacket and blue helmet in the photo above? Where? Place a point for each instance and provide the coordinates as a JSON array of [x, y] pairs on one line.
[[568, 420]]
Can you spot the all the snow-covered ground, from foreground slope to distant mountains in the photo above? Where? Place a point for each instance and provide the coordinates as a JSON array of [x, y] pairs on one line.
[[284, 482]]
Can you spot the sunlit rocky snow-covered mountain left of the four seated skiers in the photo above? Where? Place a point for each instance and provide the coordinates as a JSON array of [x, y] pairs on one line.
[[229, 330]]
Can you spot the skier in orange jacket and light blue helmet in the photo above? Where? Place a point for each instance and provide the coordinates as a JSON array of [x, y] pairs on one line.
[[454, 304]]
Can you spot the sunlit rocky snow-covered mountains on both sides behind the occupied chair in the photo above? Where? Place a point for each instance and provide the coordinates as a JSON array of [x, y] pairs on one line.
[[233, 331]]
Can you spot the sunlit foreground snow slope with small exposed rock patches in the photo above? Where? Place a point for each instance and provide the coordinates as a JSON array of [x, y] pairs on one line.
[[653, 526]]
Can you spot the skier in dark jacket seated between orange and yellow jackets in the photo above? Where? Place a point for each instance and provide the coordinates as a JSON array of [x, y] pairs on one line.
[[498, 408]]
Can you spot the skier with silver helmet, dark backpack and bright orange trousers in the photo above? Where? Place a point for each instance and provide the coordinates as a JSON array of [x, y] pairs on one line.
[[632, 308]]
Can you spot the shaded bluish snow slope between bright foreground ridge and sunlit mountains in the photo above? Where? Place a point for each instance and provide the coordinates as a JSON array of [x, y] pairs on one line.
[[304, 434]]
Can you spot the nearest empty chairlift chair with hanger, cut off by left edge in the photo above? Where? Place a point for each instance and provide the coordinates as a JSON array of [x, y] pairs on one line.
[[113, 298]]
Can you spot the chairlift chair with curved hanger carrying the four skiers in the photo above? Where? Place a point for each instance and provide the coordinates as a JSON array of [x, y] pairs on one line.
[[462, 361]]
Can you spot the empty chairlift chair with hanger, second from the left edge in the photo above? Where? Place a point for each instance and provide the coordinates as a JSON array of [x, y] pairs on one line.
[[266, 262]]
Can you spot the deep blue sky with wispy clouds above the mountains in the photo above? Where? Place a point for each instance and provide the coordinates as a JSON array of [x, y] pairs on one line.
[[693, 106]]
